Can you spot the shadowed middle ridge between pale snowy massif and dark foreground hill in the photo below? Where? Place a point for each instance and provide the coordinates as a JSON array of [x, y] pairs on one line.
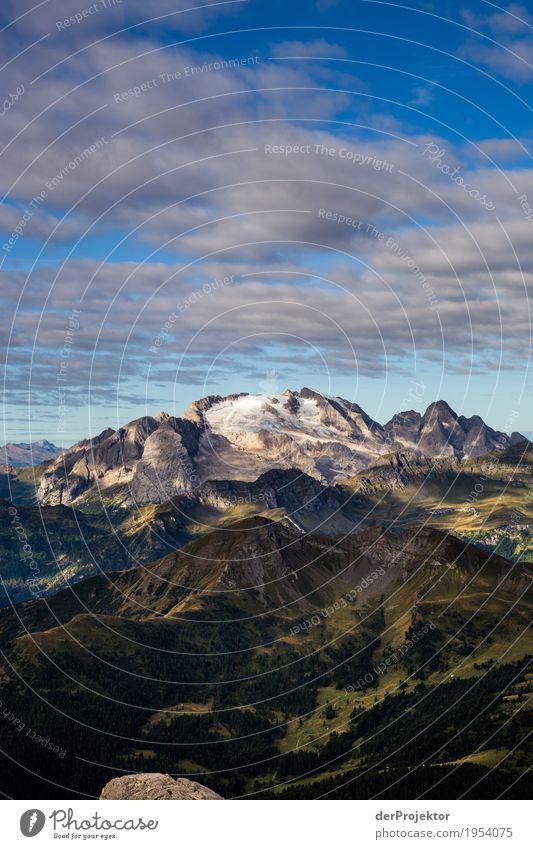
[[70, 542]]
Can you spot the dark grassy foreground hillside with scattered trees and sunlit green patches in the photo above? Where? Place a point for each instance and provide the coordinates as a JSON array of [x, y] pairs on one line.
[[264, 661]]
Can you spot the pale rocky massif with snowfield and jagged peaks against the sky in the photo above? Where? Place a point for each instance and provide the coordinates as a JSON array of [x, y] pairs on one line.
[[240, 437]]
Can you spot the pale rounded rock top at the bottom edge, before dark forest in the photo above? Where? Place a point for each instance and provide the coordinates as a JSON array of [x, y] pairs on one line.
[[155, 785]]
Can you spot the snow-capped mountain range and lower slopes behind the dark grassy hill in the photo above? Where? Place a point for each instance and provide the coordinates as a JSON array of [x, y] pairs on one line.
[[134, 494]]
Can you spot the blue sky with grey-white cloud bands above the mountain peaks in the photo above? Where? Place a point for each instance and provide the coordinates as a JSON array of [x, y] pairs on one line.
[[254, 195]]
